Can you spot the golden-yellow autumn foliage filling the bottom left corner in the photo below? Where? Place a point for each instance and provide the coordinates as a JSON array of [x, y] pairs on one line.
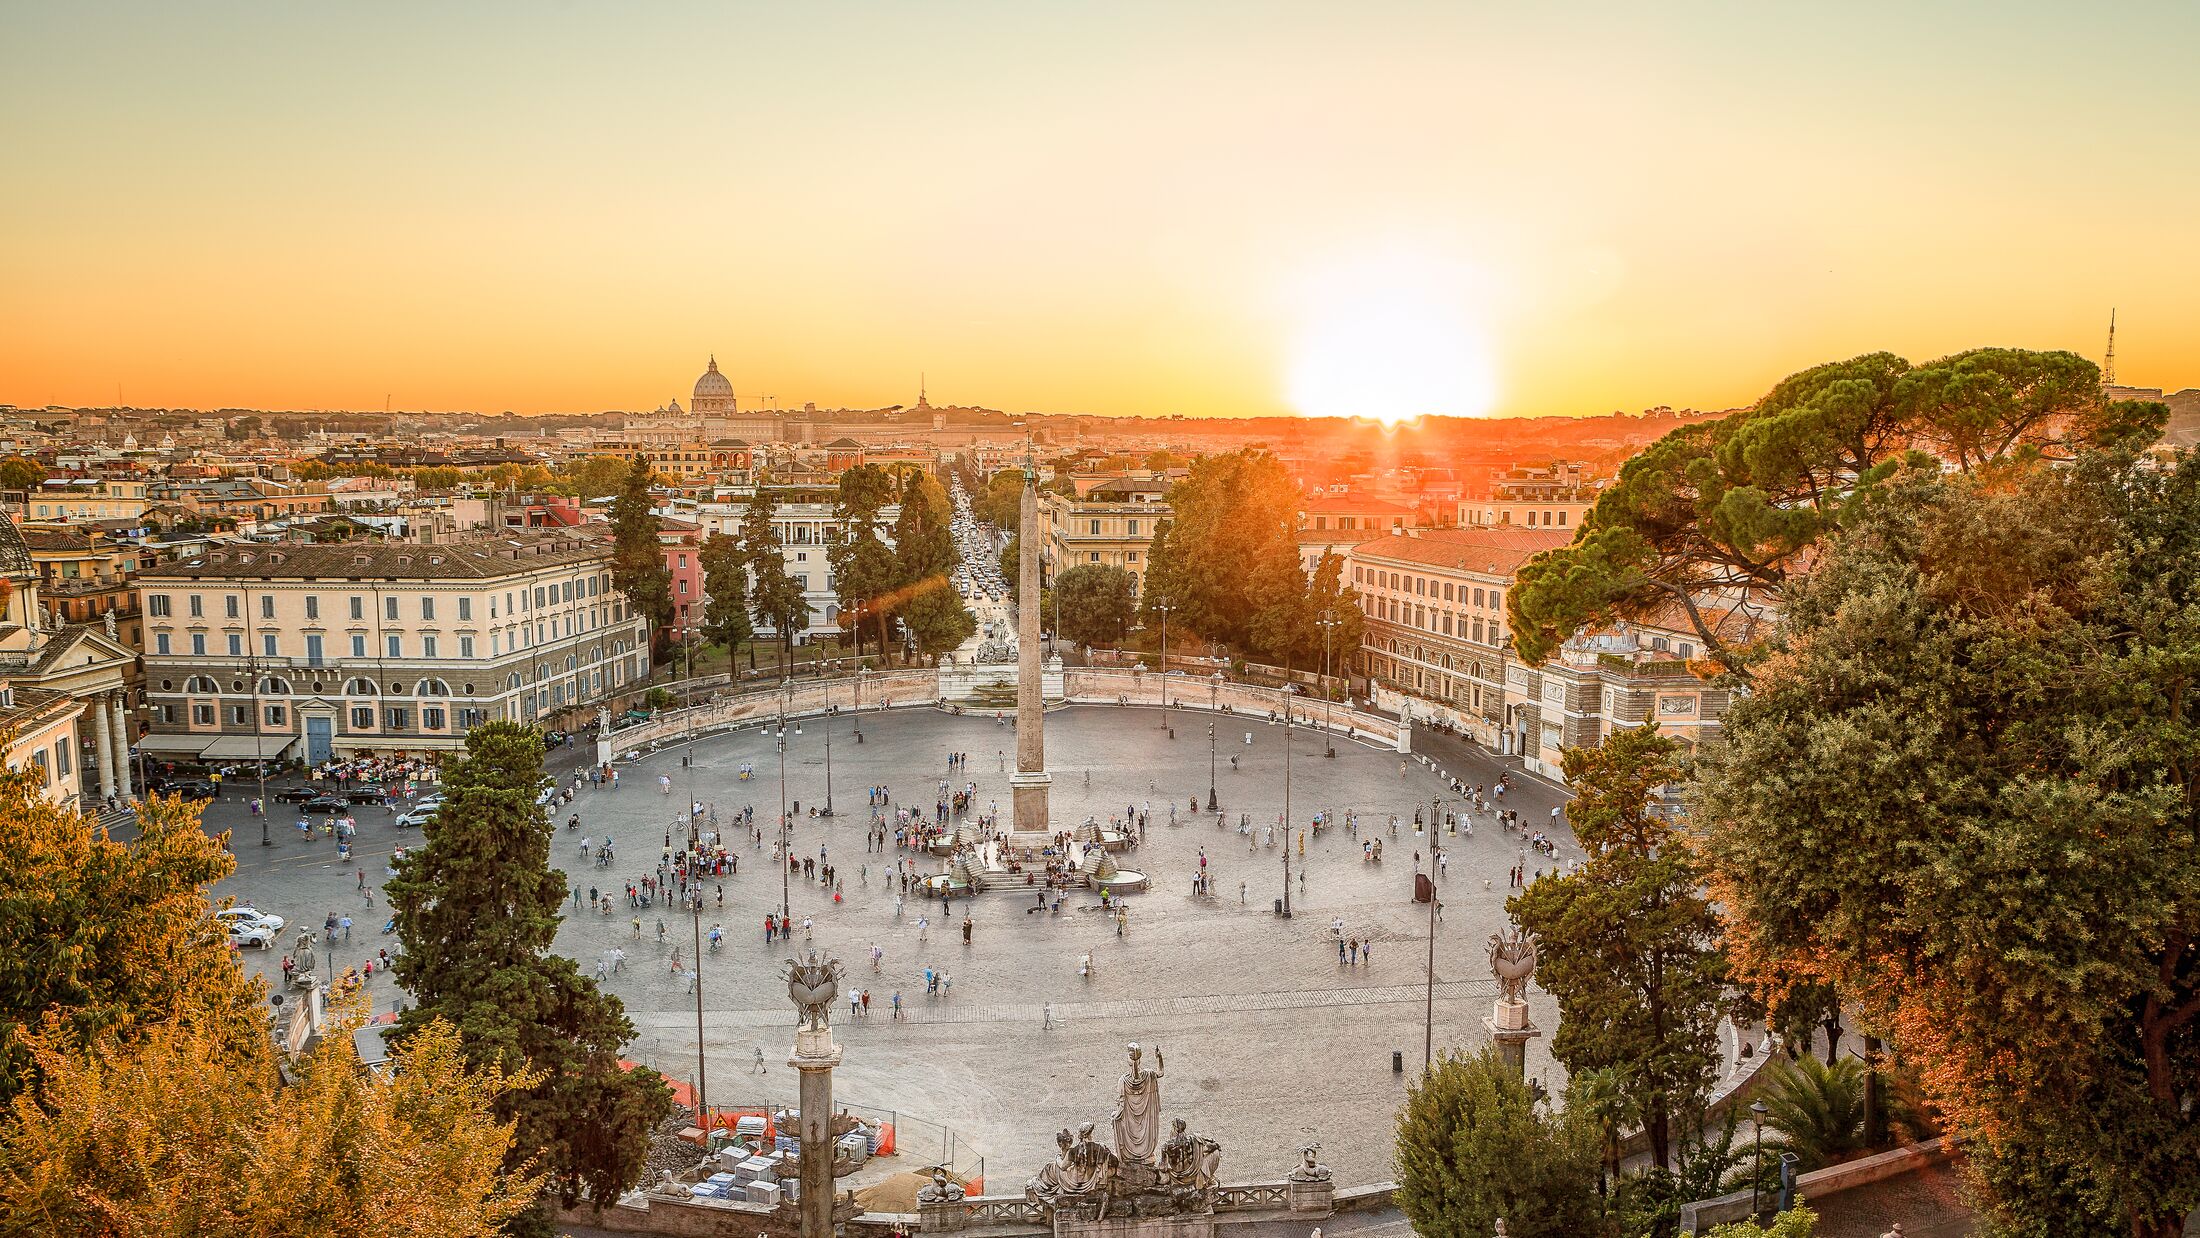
[[184, 1129]]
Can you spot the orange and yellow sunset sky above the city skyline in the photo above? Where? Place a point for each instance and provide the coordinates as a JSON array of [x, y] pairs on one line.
[[1174, 208]]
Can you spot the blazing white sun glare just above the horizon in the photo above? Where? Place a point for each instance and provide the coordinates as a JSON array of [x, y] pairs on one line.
[[1391, 342]]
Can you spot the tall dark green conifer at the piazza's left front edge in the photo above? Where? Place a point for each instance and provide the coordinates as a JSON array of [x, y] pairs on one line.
[[478, 909]]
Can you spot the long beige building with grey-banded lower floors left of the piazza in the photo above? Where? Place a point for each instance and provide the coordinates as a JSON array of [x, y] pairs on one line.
[[311, 652]]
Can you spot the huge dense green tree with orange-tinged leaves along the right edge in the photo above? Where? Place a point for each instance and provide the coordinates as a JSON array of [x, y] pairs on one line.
[[1963, 795]]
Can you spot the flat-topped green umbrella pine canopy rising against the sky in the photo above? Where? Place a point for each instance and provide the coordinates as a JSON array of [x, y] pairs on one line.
[[1739, 507]]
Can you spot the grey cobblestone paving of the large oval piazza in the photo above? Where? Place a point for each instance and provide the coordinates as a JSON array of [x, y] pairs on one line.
[[1268, 1037]]
